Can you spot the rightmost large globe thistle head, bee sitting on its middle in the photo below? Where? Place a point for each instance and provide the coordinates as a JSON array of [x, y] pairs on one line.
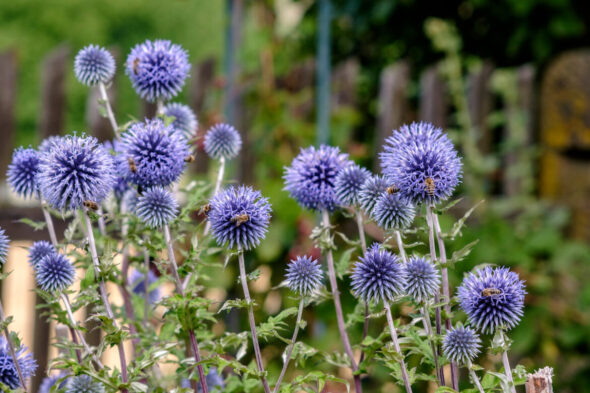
[[492, 298]]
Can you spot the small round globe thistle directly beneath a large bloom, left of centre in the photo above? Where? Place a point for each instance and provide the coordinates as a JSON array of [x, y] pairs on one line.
[[156, 207]]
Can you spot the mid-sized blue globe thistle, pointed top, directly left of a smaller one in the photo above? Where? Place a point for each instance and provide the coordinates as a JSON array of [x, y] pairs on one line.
[[378, 276]]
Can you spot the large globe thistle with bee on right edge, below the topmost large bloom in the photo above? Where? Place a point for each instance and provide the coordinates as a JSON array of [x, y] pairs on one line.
[[155, 154]]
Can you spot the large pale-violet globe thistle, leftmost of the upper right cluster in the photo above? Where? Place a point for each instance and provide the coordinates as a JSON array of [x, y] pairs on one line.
[[312, 175]]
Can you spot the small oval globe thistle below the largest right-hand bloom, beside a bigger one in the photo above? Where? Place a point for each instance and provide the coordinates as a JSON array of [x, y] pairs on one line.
[[422, 279]]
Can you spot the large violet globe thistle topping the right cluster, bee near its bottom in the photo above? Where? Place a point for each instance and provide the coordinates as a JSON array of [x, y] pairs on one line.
[[422, 162]]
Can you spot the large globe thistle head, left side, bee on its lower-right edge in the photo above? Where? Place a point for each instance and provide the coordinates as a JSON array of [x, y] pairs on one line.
[[76, 169]]
